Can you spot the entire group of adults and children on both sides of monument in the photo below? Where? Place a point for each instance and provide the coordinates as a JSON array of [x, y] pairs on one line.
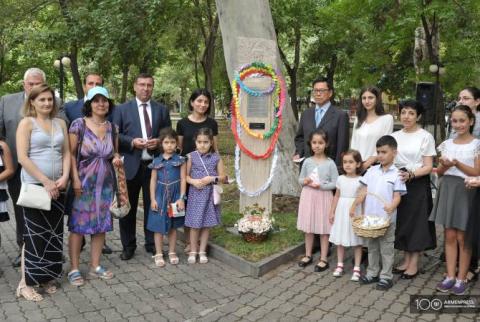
[[71, 150]]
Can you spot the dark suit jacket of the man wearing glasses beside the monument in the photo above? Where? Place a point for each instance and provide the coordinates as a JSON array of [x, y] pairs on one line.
[[335, 123]]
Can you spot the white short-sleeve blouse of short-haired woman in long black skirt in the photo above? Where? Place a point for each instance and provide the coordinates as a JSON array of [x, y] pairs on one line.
[[412, 147]]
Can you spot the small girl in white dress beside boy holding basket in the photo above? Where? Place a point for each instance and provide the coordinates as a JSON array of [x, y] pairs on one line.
[[342, 233]]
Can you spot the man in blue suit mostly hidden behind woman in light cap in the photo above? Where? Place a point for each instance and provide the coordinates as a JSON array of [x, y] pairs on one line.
[[73, 111]]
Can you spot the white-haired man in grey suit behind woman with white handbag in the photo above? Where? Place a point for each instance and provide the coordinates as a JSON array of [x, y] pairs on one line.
[[10, 116]]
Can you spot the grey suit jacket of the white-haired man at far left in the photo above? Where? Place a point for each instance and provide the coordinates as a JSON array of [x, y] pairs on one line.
[[10, 116]]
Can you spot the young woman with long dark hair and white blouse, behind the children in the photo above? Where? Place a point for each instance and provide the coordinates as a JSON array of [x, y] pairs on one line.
[[371, 124]]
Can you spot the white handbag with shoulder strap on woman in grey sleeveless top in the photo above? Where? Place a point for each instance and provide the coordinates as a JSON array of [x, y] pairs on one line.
[[34, 195]]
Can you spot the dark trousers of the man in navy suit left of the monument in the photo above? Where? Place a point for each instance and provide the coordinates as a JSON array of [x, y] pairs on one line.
[[128, 224]]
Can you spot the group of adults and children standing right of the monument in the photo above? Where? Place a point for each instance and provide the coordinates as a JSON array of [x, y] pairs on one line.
[[387, 174]]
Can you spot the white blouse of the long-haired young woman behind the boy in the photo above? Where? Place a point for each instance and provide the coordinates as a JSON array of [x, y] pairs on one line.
[[365, 137]]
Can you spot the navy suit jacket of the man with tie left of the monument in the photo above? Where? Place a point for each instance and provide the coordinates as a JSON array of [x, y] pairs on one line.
[[127, 119]]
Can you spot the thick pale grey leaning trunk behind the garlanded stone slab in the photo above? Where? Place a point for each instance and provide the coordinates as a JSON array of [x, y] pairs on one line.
[[253, 19]]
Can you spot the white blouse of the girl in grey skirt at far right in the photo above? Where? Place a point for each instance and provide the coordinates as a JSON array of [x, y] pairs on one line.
[[465, 153]]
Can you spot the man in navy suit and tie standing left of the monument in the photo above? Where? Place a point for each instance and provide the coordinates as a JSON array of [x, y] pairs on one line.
[[140, 121]]
